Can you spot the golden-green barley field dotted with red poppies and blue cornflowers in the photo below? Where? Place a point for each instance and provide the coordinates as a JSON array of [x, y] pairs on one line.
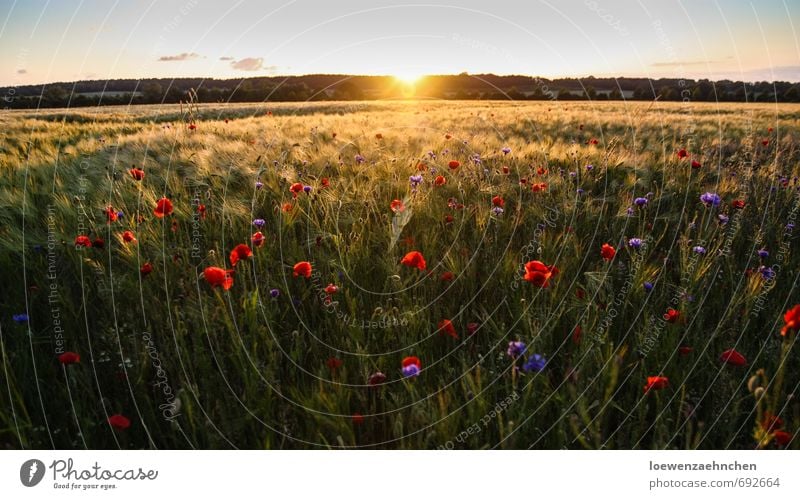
[[400, 275]]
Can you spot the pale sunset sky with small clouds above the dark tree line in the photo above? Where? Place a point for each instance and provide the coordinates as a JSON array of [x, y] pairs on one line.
[[63, 40]]
